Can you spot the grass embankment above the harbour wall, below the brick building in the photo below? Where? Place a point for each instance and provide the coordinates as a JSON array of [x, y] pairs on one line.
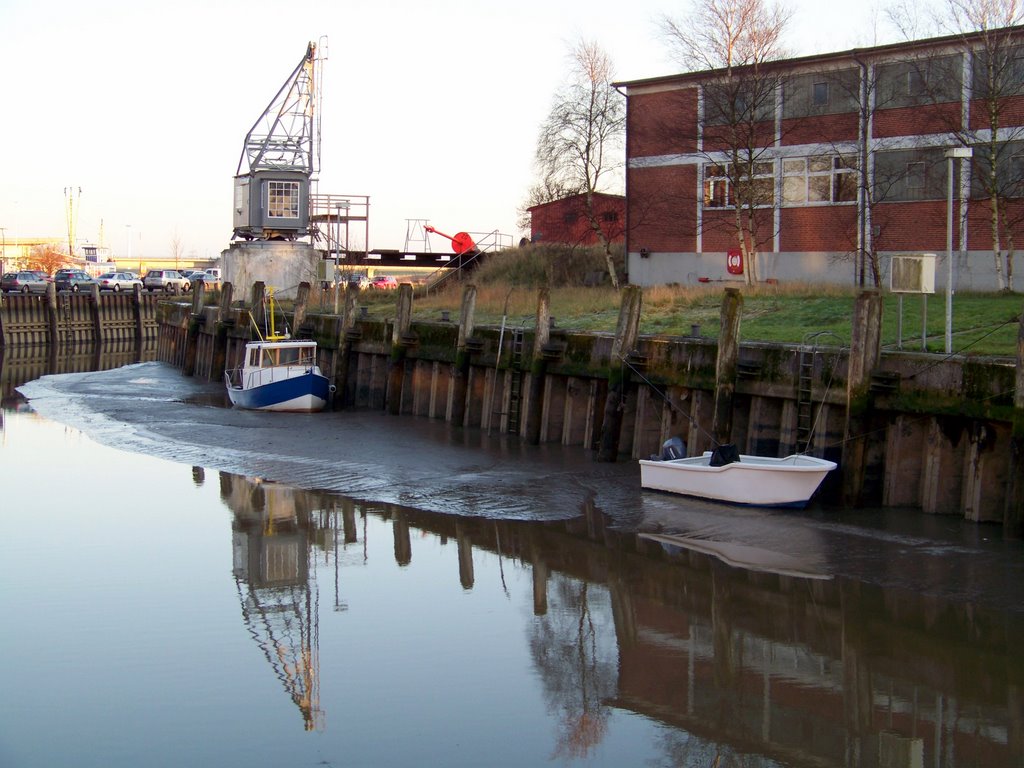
[[507, 287]]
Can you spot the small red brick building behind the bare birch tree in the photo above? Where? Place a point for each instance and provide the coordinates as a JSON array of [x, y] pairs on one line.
[[567, 222]]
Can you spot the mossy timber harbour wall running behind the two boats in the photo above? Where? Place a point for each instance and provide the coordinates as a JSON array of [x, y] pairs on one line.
[[933, 434]]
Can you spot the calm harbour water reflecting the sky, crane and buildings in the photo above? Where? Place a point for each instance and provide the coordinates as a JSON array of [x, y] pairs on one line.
[[168, 613]]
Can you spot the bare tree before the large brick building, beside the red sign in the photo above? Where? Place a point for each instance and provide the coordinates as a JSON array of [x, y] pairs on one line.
[[740, 38]]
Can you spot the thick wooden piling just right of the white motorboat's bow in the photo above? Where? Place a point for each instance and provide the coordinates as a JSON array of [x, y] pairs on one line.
[[866, 351]]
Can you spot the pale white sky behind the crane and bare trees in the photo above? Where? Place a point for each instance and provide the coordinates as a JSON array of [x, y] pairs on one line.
[[137, 113]]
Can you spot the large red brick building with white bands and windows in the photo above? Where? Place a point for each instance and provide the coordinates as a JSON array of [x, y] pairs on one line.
[[823, 168]]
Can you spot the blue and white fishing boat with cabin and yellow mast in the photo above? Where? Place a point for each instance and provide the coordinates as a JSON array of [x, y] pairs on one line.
[[279, 374]]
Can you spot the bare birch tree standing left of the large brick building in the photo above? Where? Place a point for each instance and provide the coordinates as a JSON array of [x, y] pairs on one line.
[[580, 147]]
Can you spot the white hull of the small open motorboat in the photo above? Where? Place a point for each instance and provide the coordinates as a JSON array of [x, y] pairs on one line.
[[754, 481]]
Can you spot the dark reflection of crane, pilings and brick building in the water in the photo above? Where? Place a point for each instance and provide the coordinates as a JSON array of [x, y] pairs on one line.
[[753, 667]]
